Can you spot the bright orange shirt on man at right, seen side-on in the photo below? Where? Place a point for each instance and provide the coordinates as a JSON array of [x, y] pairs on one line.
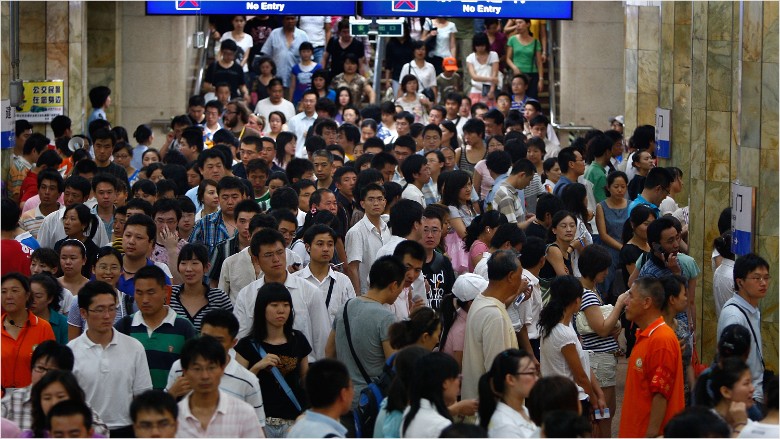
[[655, 366]]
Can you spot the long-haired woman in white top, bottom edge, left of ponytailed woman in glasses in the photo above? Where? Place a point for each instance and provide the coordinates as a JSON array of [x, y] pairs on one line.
[[435, 386]]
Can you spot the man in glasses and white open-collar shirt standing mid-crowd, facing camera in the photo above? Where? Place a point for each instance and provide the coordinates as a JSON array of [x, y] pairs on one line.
[[365, 238]]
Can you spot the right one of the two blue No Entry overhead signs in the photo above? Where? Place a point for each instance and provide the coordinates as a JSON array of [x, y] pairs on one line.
[[536, 9]]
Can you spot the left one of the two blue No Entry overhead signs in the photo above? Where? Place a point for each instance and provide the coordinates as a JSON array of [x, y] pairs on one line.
[[253, 7]]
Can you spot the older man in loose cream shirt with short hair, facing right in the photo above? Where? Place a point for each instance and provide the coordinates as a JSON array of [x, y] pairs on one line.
[[489, 330]]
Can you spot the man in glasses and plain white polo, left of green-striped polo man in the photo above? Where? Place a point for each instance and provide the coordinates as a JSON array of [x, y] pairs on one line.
[[107, 359]]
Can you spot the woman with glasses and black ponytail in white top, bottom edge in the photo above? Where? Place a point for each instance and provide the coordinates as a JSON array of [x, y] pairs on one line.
[[502, 393]]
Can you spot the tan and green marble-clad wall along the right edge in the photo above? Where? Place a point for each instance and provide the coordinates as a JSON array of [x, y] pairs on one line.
[[724, 101]]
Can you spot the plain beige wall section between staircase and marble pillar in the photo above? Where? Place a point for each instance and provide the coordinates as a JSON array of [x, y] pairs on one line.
[[591, 64]]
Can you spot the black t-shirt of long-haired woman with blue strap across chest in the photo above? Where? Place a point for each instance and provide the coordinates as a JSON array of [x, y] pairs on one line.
[[277, 403]]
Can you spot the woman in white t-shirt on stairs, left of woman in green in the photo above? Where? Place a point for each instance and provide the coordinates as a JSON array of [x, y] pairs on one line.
[[483, 70]]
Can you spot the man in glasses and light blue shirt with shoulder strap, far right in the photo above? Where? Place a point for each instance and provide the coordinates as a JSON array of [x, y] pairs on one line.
[[751, 280]]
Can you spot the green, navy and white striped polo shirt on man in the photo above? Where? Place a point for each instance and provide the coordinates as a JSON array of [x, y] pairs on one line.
[[162, 344]]
